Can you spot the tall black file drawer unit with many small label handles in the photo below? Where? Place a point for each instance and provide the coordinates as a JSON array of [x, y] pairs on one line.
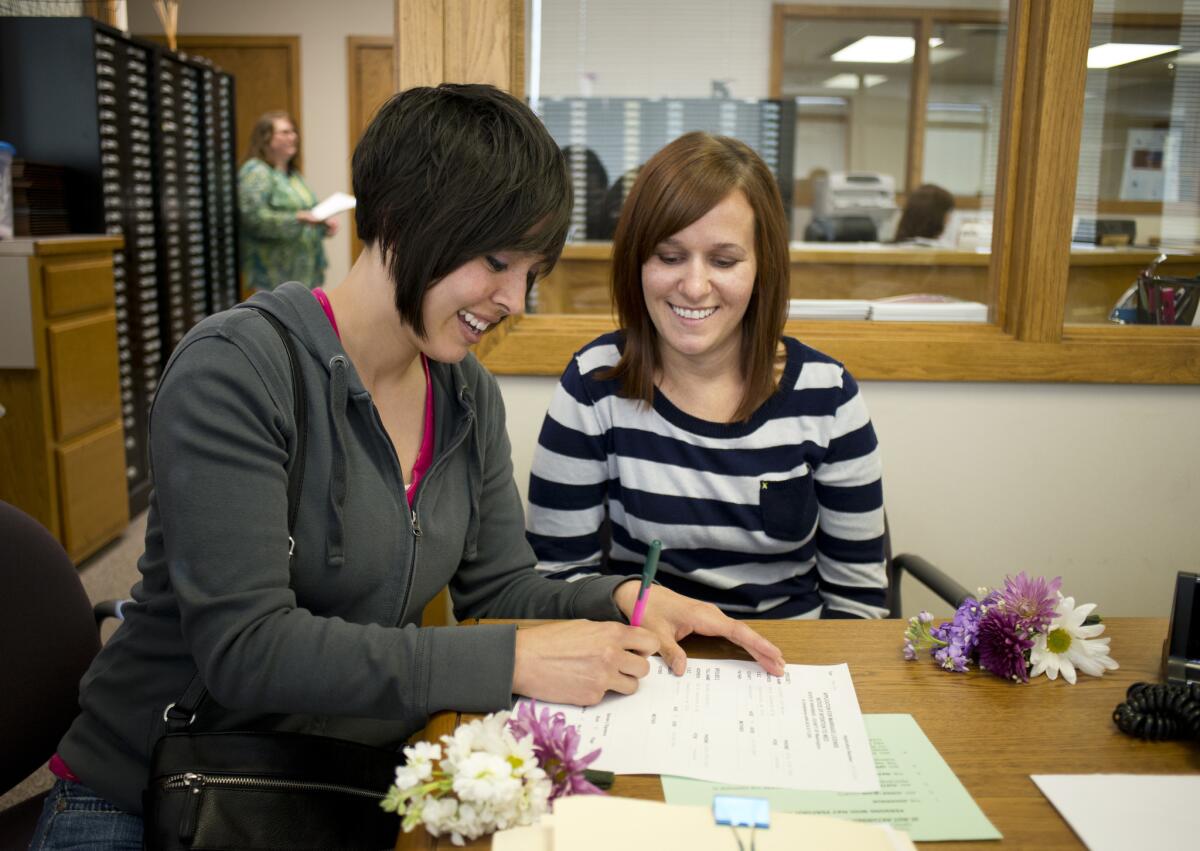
[[149, 139]]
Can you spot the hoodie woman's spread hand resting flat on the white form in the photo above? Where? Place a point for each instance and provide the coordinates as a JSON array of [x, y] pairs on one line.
[[673, 618]]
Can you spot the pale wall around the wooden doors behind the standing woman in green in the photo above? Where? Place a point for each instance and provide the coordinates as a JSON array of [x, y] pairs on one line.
[[325, 111]]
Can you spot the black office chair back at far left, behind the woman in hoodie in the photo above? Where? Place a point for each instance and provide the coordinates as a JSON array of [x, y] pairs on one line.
[[50, 634]]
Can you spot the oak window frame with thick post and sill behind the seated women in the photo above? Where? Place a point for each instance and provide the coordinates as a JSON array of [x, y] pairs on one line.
[[1041, 127]]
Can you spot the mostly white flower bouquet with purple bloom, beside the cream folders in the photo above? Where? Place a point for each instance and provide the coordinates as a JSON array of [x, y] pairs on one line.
[[493, 774]]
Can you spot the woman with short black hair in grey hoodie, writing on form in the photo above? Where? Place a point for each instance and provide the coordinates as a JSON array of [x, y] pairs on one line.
[[464, 201]]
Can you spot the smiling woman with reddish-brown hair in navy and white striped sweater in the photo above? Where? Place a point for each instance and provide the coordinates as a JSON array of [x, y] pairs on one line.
[[749, 456]]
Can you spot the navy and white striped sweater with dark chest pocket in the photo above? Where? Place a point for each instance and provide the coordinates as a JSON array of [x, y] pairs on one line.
[[777, 518]]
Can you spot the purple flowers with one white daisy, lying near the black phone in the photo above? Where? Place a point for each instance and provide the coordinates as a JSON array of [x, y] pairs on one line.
[[1023, 631]]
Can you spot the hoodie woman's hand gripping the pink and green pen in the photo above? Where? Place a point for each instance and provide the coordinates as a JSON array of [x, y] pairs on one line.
[[579, 662]]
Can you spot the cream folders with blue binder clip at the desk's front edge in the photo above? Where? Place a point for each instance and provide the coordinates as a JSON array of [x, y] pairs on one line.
[[595, 823]]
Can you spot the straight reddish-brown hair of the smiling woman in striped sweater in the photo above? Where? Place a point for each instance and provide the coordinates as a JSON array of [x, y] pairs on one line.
[[676, 188]]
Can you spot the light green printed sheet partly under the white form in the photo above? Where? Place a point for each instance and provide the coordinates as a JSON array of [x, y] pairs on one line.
[[919, 793]]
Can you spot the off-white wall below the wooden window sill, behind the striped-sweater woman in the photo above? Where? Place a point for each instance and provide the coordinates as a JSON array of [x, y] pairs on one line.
[[1097, 484]]
